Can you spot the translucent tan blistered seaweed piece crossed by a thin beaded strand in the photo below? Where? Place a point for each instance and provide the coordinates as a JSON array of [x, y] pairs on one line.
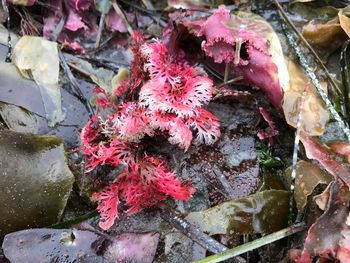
[[314, 113]]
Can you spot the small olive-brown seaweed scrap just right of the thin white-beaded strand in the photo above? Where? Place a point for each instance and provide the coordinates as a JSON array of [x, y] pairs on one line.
[[308, 177]]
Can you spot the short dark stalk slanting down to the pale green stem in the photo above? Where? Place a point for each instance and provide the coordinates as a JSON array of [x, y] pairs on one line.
[[193, 232]]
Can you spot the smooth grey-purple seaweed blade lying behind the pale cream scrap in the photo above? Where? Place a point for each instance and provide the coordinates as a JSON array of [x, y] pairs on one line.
[[26, 94]]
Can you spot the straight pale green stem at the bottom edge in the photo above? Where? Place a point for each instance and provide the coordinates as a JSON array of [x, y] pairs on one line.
[[253, 244]]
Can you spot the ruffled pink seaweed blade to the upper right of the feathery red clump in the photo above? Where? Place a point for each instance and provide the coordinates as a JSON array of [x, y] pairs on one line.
[[232, 39]]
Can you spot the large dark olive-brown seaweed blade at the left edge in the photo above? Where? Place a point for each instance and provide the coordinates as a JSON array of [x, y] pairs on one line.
[[35, 181]]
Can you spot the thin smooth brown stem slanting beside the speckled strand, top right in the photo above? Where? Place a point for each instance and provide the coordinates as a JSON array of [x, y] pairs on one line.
[[283, 14]]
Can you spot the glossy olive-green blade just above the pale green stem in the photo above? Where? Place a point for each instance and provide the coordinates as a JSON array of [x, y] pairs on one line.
[[263, 212]]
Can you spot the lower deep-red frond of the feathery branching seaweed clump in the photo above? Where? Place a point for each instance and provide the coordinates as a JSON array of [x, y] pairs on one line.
[[142, 185]]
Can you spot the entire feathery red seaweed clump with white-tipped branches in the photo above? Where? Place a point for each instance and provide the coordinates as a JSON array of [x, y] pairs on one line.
[[169, 104]]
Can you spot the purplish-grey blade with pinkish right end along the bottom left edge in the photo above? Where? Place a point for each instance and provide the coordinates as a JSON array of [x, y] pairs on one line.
[[72, 245]]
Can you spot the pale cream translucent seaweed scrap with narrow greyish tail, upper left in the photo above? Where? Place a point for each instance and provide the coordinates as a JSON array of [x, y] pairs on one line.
[[37, 59]]
